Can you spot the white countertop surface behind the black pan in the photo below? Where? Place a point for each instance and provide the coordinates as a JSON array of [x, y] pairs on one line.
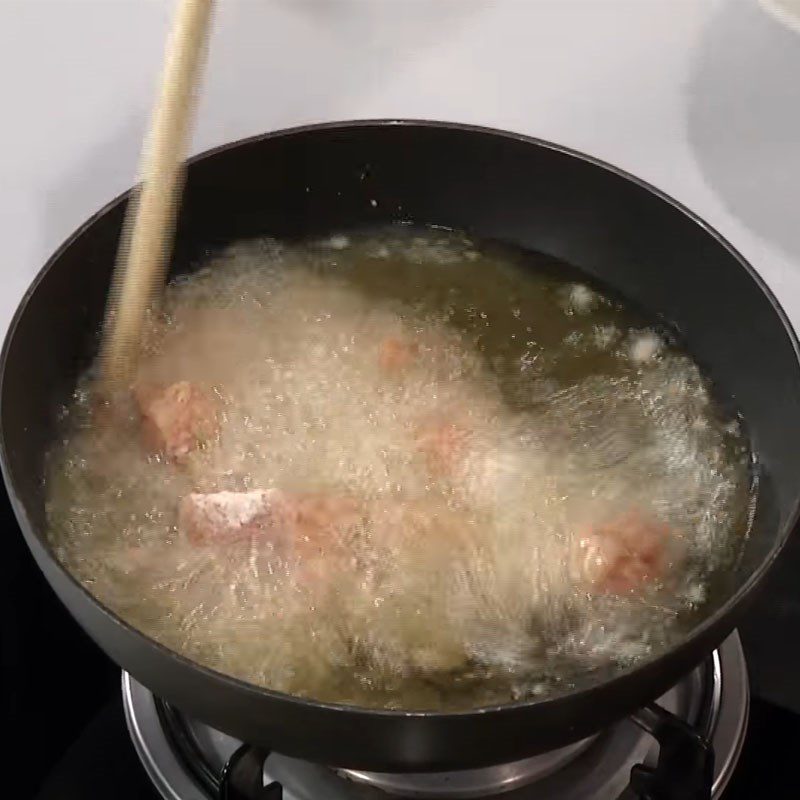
[[700, 97]]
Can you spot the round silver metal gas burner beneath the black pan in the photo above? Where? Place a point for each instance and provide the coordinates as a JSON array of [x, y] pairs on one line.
[[186, 760]]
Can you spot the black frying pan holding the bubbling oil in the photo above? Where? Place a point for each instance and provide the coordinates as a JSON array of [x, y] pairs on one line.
[[500, 186]]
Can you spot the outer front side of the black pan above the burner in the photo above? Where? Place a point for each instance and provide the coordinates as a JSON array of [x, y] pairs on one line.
[[362, 739]]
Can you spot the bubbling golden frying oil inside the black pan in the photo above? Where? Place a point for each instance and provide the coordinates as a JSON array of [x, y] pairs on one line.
[[460, 590]]
